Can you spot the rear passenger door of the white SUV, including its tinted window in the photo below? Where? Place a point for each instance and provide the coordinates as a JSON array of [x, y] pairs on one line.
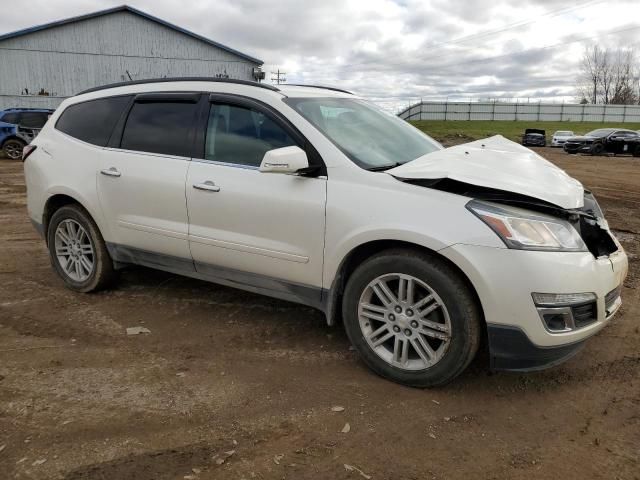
[[141, 180]]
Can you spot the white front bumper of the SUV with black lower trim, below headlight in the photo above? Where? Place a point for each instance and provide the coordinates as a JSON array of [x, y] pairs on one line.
[[504, 280]]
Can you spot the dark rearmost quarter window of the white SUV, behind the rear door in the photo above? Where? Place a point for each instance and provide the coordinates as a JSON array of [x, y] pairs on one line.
[[92, 121]]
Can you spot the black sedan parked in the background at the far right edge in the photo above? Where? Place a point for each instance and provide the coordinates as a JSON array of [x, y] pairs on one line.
[[605, 140]]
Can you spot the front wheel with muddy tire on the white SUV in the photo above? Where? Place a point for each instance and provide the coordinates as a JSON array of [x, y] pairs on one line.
[[457, 318]]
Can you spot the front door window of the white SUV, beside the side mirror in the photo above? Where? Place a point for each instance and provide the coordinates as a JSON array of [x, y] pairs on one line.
[[241, 135]]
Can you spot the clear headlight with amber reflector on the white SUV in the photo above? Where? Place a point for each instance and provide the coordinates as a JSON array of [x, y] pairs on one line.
[[526, 230]]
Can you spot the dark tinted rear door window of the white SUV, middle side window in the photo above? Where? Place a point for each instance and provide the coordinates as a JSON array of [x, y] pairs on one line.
[[159, 128]]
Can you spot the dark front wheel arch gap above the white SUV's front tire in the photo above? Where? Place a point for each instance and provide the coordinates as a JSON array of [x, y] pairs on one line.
[[333, 304]]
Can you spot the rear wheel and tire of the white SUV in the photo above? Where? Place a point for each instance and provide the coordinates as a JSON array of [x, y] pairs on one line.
[[71, 235]]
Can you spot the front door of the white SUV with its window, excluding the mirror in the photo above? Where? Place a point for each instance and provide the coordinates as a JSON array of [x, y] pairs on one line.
[[260, 229]]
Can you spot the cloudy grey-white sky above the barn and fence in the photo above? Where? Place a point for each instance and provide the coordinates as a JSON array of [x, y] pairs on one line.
[[394, 52]]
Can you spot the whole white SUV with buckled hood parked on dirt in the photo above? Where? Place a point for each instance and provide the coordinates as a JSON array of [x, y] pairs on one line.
[[315, 196]]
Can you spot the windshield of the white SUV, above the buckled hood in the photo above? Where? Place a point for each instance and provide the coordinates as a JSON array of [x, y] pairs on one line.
[[370, 137]]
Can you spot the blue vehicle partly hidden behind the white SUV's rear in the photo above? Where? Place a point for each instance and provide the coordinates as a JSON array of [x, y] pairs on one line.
[[18, 126]]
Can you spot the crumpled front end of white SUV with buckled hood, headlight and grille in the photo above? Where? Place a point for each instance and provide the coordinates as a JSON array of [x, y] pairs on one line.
[[515, 183]]
